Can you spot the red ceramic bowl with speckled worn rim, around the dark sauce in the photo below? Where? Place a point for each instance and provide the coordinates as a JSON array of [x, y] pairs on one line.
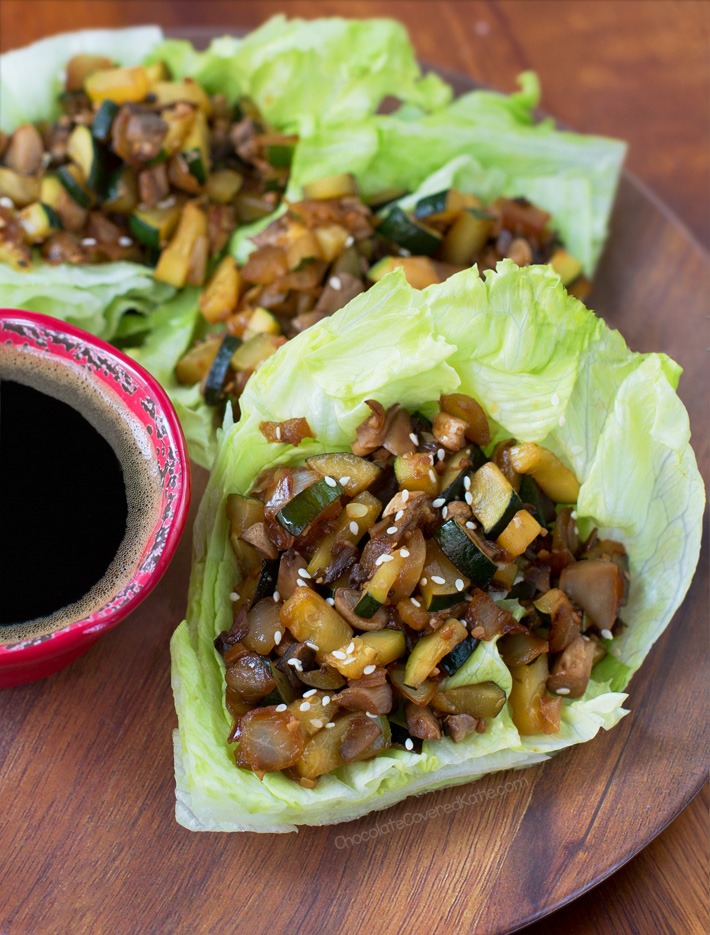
[[143, 400]]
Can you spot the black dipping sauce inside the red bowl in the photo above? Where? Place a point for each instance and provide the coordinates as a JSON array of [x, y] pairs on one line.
[[63, 505]]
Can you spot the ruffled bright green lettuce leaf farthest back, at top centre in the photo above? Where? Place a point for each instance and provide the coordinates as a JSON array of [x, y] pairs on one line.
[[302, 73]]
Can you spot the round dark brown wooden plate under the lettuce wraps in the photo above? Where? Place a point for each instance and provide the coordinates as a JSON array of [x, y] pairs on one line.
[[89, 841]]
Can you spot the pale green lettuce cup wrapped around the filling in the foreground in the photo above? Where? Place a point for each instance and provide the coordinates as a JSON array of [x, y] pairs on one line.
[[546, 369]]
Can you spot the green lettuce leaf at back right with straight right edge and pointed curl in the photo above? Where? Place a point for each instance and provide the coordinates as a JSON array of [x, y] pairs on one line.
[[572, 176]]
